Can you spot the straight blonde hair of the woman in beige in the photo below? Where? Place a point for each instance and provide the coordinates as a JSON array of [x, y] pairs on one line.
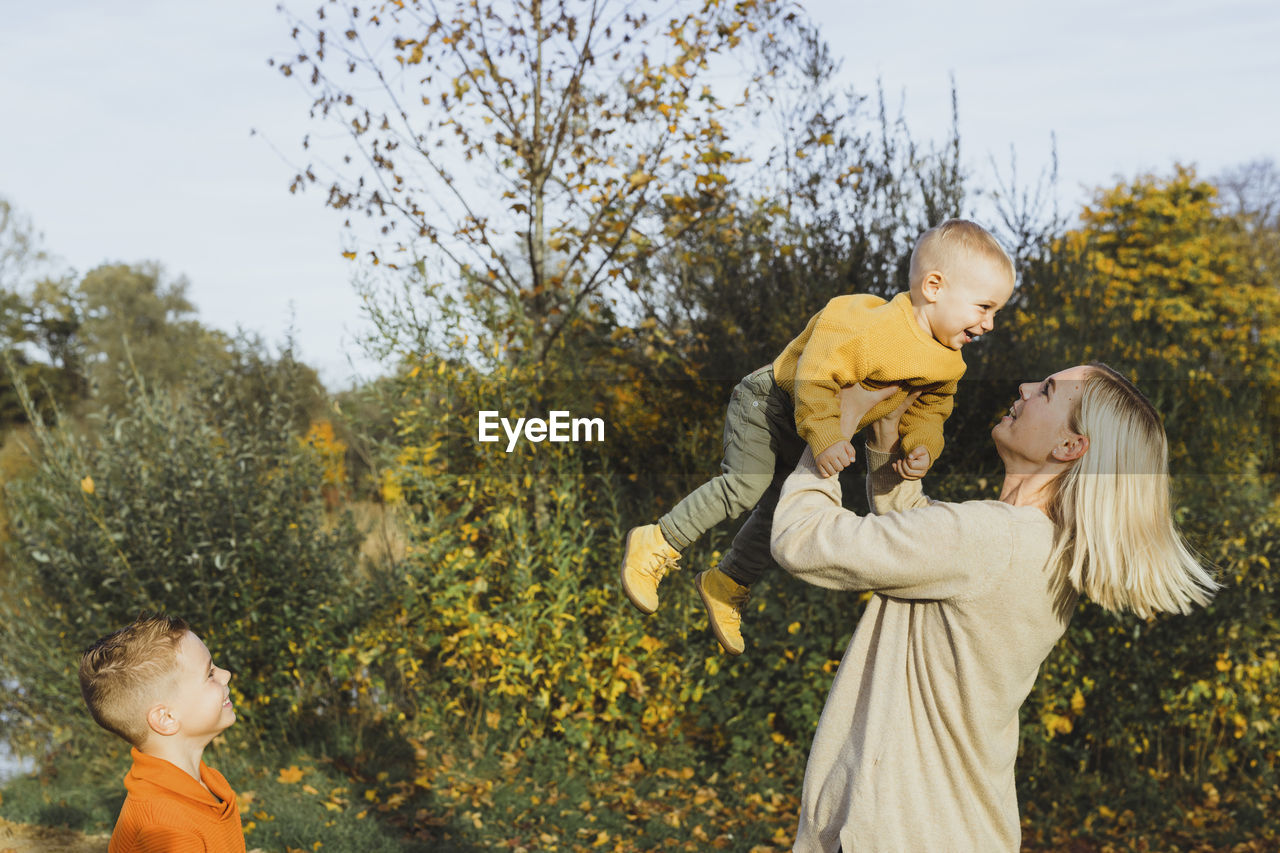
[[1116, 537]]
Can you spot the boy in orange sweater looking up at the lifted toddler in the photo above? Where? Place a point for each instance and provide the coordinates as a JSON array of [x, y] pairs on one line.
[[156, 685]]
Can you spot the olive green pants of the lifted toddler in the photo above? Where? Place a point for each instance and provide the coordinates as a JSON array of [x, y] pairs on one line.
[[762, 448]]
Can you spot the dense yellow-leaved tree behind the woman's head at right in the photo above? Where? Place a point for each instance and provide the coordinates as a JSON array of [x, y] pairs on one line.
[[1159, 282]]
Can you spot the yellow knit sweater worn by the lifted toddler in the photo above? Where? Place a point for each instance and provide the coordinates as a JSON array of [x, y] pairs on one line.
[[863, 339]]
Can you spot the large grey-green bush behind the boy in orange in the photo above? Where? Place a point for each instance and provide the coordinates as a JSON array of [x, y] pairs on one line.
[[204, 505]]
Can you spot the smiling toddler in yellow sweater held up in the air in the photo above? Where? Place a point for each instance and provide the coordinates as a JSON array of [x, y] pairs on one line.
[[959, 279]]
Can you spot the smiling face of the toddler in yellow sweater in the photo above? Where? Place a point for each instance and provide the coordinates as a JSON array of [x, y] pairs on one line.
[[967, 300]]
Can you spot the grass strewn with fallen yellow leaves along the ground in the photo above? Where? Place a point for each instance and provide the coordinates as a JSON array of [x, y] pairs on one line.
[[410, 796]]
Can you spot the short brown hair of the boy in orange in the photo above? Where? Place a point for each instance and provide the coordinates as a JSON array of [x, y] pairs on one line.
[[120, 672]]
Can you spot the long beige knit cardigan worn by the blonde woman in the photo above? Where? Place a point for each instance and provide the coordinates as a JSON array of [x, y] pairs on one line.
[[915, 752]]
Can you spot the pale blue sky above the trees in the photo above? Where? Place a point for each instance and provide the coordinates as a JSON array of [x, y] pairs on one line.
[[156, 130]]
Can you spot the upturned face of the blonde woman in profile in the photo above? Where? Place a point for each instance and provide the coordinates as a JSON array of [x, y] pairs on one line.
[[1037, 430]]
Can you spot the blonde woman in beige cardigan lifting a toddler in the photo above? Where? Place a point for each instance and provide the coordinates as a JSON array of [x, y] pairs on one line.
[[916, 746]]
